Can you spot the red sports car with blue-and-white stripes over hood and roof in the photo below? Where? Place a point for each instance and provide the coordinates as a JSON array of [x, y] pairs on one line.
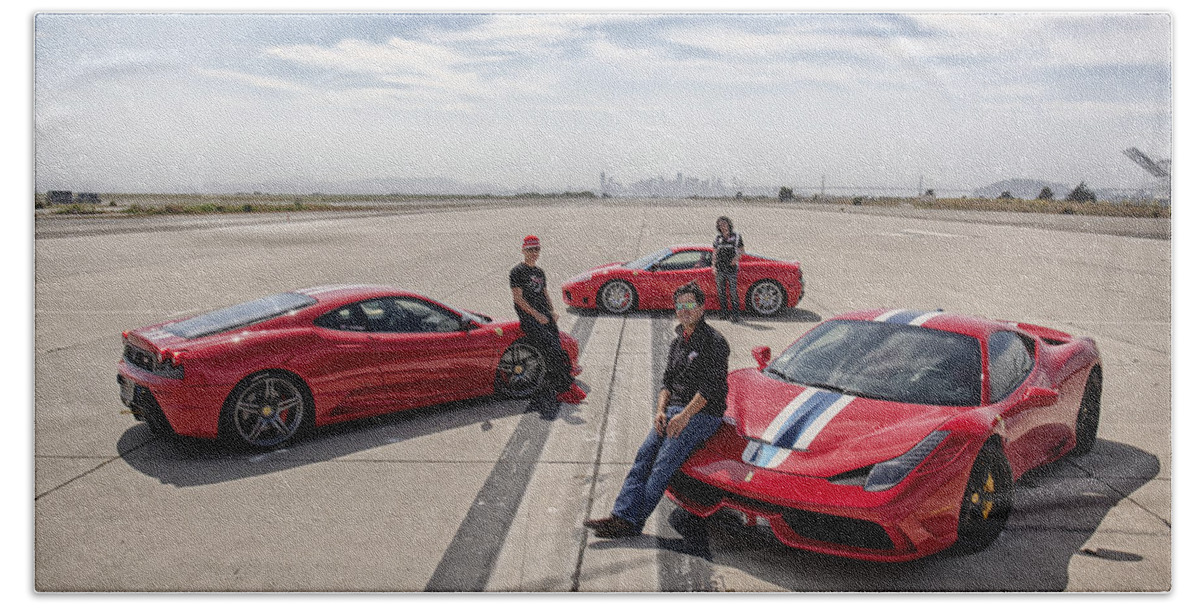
[[890, 436]]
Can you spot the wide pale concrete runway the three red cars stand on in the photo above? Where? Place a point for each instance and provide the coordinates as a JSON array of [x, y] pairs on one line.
[[479, 496]]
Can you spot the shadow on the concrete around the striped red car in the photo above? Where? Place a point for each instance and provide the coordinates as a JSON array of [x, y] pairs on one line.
[[1058, 509]]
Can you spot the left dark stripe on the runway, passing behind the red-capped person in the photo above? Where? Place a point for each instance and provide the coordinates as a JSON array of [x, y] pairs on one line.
[[471, 558]]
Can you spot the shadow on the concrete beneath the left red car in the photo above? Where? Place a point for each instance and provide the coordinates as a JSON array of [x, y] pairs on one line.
[[188, 462]]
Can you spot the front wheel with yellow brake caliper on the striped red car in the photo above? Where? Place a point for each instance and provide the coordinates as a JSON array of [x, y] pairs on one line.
[[987, 501]]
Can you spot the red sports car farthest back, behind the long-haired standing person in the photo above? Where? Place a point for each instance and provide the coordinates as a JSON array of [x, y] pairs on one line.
[[765, 286]]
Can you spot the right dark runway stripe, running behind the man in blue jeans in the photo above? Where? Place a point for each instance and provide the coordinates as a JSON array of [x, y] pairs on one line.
[[685, 557]]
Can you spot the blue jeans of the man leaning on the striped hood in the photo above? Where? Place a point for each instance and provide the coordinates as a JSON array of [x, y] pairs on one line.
[[657, 461]]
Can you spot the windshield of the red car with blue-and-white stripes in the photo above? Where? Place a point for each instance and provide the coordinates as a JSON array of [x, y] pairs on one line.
[[886, 362]]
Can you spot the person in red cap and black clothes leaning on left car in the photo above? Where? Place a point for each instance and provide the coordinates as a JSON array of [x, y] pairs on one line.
[[539, 322]]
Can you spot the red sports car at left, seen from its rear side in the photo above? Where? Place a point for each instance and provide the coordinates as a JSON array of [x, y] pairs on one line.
[[260, 372]]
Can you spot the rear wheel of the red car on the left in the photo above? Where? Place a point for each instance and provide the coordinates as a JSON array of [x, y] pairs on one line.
[[267, 411]]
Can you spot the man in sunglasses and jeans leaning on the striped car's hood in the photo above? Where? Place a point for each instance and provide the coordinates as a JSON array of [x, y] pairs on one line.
[[691, 407]]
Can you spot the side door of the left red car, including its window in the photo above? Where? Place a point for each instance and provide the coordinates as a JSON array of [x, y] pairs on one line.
[[428, 356]]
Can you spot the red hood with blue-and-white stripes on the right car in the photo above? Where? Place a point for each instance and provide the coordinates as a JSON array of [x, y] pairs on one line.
[[813, 432]]
